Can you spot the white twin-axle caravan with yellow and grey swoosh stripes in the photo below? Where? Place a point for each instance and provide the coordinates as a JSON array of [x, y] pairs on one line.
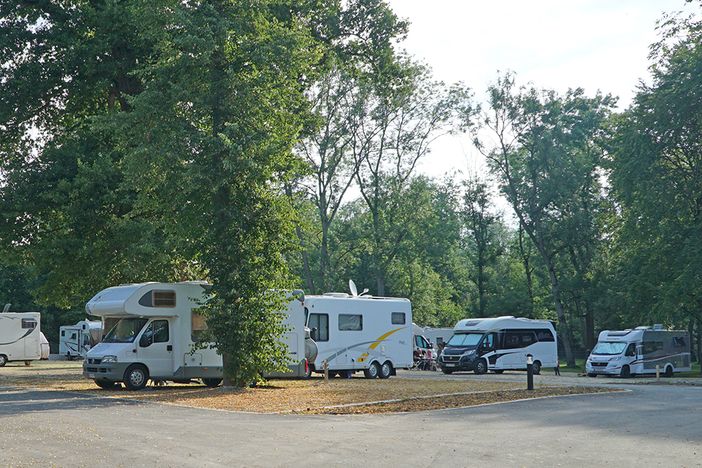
[[360, 333]]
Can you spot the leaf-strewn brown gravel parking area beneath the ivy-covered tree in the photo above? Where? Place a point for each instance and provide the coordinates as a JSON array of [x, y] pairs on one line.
[[316, 396]]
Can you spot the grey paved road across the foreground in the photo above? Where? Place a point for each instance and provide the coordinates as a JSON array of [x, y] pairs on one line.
[[652, 425]]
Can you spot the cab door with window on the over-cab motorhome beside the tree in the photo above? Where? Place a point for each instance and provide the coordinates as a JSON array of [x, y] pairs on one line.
[[155, 348]]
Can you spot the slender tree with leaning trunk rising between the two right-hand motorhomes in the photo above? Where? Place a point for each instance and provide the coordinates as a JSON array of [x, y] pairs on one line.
[[547, 152]]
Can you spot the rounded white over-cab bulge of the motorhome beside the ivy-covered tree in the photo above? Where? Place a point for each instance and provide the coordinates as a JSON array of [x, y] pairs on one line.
[[123, 300]]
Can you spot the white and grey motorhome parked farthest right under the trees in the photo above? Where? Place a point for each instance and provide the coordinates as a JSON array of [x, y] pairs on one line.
[[639, 352]]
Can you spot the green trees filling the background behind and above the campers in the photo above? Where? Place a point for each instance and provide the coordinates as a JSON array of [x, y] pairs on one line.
[[273, 144]]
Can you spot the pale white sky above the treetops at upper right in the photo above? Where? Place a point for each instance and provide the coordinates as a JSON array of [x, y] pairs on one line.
[[555, 44]]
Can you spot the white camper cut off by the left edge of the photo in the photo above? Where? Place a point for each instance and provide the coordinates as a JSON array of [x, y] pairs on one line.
[[21, 338]]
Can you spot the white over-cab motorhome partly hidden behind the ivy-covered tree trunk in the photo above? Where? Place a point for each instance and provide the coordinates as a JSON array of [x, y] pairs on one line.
[[153, 333]]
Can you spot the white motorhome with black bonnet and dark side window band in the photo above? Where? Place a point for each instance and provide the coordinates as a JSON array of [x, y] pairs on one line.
[[499, 344]]
